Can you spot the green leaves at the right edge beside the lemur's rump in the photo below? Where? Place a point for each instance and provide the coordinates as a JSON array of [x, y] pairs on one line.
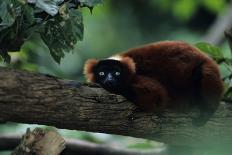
[[225, 63]]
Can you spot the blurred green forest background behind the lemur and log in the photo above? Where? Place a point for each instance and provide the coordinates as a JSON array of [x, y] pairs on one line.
[[116, 26]]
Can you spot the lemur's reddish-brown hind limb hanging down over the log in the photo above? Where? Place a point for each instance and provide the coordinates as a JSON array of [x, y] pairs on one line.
[[208, 90]]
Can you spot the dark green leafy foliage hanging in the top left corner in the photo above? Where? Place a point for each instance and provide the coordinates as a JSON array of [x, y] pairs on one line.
[[59, 23]]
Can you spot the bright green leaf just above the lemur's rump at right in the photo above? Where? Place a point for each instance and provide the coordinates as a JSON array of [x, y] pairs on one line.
[[212, 51]]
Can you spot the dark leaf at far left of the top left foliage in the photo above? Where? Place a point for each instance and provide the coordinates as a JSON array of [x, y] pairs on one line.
[[13, 34]]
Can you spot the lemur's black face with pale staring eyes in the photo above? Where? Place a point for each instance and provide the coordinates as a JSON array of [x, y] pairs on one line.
[[110, 75]]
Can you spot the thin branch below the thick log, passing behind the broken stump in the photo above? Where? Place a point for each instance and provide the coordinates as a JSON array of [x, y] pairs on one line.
[[73, 146]]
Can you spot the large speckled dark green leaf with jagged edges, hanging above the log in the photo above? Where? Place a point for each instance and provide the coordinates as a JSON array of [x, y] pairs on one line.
[[62, 33]]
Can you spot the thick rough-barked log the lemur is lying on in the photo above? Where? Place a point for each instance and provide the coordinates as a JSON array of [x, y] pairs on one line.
[[40, 99]]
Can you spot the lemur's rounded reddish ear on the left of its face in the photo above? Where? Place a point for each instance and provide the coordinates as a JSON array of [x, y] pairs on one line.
[[89, 69]]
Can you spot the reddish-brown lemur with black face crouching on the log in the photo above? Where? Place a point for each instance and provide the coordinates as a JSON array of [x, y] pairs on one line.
[[158, 76]]
